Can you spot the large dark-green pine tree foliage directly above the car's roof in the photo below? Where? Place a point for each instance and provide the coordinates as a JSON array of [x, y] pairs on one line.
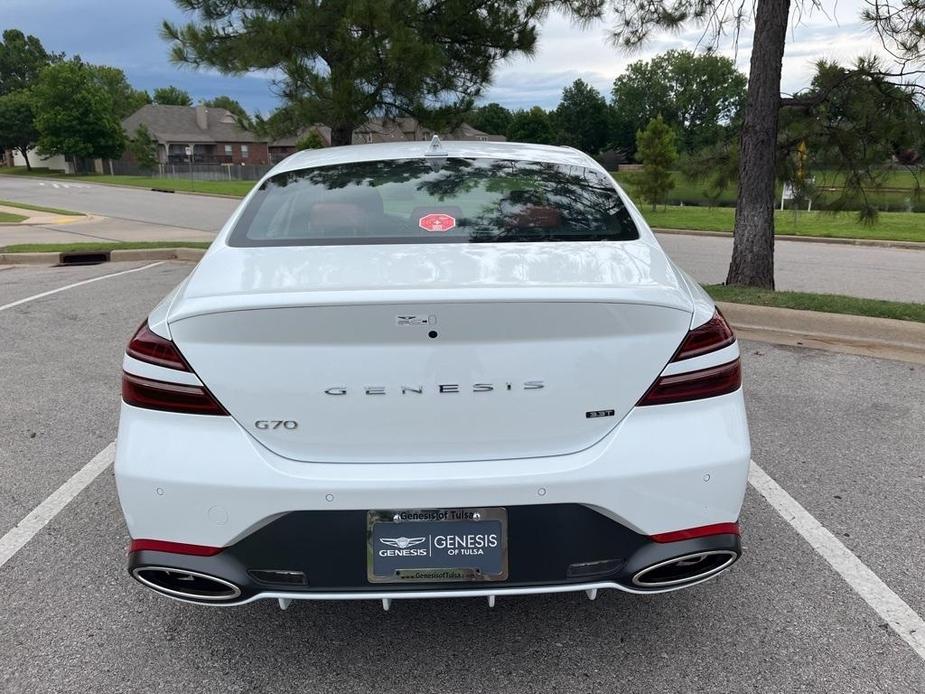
[[342, 62]]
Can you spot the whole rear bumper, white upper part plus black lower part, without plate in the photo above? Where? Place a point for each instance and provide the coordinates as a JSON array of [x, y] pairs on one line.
[[203, 480]]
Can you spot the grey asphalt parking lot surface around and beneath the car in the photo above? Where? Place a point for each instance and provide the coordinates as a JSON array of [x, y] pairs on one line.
[[844, 436]]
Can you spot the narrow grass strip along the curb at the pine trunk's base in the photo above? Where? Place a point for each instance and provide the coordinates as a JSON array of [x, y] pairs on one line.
[[830, 303]]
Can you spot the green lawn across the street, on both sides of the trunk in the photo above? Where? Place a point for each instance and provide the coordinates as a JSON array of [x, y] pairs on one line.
[[890, 226]]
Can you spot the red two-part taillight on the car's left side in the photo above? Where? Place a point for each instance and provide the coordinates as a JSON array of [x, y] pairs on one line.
[[164, 395]]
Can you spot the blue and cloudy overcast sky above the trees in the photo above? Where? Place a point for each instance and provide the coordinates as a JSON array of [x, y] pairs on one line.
[[124, 33]]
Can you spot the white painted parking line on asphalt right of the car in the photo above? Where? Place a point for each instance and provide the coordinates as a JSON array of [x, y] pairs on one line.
[[907, 624]]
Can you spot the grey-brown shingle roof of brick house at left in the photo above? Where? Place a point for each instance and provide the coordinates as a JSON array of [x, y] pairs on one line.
[[180, 124]]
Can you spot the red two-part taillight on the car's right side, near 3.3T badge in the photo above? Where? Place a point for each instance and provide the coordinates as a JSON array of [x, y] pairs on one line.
[[708, 382]]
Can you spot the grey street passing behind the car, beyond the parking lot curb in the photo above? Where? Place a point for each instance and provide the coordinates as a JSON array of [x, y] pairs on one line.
[[876, 273]]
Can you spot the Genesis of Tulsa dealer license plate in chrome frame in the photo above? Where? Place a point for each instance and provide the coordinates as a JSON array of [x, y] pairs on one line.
[[436, 545]]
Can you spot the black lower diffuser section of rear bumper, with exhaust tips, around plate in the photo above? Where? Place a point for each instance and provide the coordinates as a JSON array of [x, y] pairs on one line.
[[553, 548]]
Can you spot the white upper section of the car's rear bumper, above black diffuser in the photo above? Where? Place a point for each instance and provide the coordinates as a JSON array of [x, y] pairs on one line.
[[204, 480]]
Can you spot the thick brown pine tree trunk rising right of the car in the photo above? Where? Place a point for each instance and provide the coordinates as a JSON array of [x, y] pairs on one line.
[[753, 244]]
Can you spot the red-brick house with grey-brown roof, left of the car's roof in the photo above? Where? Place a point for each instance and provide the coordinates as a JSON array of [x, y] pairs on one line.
[[197, 134]]
